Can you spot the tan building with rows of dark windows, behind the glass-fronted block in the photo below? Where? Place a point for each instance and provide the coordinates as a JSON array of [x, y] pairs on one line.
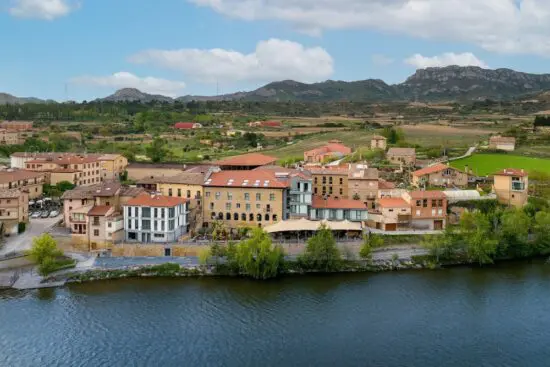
[[331, 182]]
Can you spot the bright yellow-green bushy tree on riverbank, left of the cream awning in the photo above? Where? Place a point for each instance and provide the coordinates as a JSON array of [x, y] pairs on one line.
[[257, 257]]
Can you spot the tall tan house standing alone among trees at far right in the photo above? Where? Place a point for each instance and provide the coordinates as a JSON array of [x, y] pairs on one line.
[[511, 186]]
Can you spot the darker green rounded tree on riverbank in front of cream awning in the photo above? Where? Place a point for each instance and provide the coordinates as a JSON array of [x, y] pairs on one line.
[[321, 251]]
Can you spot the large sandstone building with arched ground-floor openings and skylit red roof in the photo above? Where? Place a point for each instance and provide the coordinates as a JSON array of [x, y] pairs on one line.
[[251, 198]]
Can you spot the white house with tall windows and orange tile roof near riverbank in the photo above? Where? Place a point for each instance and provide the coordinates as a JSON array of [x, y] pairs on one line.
[[150, 218]]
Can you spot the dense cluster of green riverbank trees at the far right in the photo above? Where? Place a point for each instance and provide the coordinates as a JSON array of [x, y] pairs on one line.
[[483, 237]]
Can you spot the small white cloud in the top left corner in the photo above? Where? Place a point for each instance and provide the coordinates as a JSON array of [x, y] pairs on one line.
[[41, 9]]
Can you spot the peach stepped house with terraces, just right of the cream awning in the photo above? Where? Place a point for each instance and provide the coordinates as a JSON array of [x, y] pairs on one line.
[[392, 214]]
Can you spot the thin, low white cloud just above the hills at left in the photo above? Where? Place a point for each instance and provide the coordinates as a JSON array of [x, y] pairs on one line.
[[128, 80]]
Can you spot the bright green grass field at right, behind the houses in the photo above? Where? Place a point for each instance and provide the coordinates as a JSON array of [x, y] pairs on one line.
[[487, 164]]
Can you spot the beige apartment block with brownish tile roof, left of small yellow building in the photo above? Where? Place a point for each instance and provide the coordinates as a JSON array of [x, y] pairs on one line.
[[77, 169]]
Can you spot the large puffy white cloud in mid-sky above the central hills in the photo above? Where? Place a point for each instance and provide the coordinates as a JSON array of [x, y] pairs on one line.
[[273, 59]]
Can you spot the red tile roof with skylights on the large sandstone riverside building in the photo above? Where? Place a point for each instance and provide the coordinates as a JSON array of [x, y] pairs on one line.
[[255, 179]]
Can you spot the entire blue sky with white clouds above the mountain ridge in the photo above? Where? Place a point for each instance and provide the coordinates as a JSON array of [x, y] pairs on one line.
[[85, 49]]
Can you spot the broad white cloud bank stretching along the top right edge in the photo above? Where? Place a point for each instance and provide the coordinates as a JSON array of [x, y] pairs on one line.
[[508, 26]]
